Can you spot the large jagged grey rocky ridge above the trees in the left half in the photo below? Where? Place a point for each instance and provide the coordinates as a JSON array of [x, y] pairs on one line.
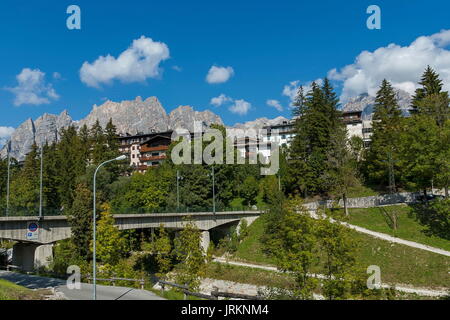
[[129, 116]]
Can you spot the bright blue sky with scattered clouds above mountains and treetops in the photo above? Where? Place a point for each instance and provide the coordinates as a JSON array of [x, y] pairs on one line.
[[267, 44]]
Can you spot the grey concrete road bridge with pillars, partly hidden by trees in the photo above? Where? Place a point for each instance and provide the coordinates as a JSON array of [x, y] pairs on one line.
[[34, 247]]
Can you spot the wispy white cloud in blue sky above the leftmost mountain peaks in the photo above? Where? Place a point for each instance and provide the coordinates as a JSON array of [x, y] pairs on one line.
[[32, 88]]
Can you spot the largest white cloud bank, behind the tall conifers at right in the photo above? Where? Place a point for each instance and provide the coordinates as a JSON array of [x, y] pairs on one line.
[[403, 66]]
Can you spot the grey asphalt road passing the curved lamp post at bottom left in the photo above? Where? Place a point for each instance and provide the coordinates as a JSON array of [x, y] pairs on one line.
[[84, 293]]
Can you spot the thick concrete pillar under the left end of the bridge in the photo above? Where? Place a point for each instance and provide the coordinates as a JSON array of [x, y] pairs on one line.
[[30, 256]]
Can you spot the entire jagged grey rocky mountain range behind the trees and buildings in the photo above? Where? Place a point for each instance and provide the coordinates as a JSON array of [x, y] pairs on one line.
[[145, 116]]
